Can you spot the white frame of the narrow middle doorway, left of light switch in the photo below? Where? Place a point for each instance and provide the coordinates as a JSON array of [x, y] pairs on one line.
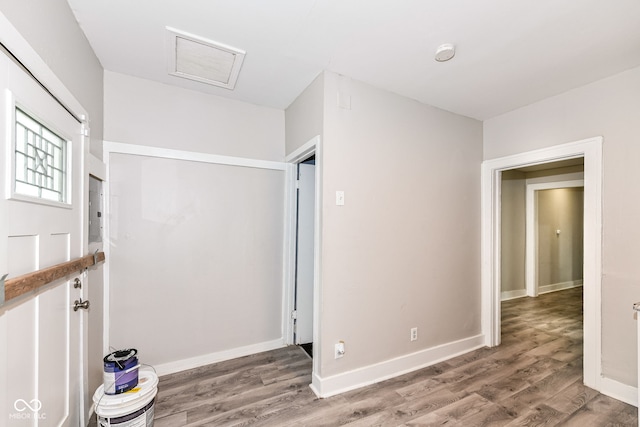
[[311, 147]]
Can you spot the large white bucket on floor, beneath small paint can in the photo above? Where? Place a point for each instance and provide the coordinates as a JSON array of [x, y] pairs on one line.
[[133, 408]]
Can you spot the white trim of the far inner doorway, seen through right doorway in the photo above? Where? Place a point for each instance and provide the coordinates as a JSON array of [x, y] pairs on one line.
[[531, 278]]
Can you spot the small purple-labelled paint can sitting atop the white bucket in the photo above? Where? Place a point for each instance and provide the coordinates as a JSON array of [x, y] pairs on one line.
[[120, 371]]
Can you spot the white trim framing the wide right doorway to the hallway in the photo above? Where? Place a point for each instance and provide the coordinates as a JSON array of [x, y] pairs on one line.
[[591, 150]]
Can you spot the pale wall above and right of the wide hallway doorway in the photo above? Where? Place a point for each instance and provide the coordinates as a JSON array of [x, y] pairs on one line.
[[609, 107]]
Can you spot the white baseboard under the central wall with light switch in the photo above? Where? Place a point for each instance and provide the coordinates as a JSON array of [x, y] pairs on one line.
[[340, 383]]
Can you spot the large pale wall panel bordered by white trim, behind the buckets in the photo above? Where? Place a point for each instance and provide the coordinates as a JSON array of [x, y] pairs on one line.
[[195, 258]]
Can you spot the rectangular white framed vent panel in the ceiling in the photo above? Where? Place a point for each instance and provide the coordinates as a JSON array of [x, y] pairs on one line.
[[202, 60]]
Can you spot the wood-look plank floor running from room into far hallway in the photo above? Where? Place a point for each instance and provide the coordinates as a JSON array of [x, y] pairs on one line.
[[533, 379]]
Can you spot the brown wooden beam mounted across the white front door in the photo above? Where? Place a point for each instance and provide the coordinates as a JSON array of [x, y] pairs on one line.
[[21, 285]]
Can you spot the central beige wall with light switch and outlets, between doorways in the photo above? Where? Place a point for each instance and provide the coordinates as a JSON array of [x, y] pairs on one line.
[[404, 250]]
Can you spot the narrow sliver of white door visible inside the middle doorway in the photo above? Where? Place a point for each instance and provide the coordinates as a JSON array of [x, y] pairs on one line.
[[304, 254]]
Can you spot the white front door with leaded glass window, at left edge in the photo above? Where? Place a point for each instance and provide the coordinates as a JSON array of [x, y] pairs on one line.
[[40, 335]]
